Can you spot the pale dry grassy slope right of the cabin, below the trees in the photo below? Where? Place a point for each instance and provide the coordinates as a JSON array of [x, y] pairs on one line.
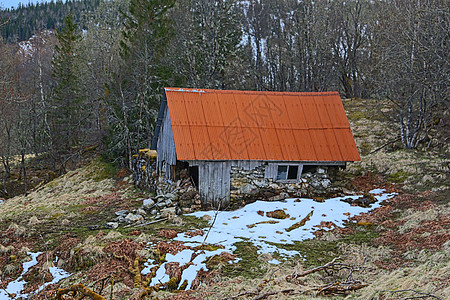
[[412, 168]]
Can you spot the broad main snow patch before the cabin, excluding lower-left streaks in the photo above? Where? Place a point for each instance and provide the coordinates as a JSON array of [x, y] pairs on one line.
[[246, 224]]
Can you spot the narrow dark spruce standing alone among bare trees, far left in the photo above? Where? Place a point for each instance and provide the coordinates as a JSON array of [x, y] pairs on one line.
[[67, 101]]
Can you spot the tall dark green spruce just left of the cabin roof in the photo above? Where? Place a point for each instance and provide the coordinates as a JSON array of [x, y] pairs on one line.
[[136, 91]]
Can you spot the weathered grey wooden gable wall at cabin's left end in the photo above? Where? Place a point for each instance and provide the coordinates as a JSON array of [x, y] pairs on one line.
[[166, 147]]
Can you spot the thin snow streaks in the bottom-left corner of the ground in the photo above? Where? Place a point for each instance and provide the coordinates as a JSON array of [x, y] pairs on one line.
[[17, 286]]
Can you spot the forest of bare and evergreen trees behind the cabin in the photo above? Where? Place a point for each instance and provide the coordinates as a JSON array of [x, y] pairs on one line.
[[92, 72]]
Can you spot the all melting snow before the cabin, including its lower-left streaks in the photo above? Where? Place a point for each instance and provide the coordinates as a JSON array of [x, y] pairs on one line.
[[250, 224]]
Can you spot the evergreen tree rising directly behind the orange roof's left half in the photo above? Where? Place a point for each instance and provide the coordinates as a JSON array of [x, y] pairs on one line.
[[207, 51]]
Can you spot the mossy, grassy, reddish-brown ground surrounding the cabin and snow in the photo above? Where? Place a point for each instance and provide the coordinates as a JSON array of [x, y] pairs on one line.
[[398, 250]]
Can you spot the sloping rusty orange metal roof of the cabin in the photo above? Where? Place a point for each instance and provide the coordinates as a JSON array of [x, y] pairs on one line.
[[249, 125]]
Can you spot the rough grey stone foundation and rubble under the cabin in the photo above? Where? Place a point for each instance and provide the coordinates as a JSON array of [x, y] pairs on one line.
[[245, 185]]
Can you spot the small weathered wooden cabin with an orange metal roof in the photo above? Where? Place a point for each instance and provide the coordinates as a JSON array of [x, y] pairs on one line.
[[209, 132]]
